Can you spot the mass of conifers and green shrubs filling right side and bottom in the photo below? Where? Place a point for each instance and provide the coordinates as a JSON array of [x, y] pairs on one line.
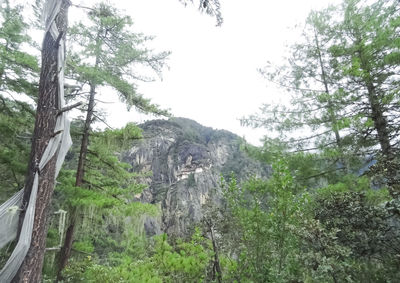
[[330, 210]]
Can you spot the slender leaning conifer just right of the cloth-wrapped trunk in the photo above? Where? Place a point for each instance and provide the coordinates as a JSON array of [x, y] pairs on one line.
[[107, 56]]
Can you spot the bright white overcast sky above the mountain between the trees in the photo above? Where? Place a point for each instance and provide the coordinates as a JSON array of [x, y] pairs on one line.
[[212, 76]]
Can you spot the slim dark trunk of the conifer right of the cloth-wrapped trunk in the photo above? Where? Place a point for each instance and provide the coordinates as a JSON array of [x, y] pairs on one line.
[[69, 237]]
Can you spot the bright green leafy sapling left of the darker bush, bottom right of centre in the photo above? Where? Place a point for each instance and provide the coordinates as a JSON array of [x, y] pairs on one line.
[[267, 212]]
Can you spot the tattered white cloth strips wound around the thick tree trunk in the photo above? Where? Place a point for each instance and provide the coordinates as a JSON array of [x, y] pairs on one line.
[[60, 144]]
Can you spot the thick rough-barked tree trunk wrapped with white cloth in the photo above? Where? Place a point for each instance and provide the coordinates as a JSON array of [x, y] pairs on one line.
[[47, 108]]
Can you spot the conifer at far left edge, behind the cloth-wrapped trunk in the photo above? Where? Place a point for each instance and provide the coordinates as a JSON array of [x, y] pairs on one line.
[[19, 74]]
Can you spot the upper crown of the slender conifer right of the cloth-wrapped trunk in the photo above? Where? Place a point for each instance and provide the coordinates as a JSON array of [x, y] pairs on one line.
[[109, 53]]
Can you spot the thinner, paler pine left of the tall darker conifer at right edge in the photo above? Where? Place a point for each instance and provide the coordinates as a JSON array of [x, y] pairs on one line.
[[312, 129]]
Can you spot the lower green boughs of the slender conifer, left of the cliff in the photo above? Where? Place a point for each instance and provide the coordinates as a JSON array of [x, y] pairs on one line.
[[109, 181]]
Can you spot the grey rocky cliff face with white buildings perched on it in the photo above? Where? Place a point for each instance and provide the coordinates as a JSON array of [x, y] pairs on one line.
[[186, 161]]
